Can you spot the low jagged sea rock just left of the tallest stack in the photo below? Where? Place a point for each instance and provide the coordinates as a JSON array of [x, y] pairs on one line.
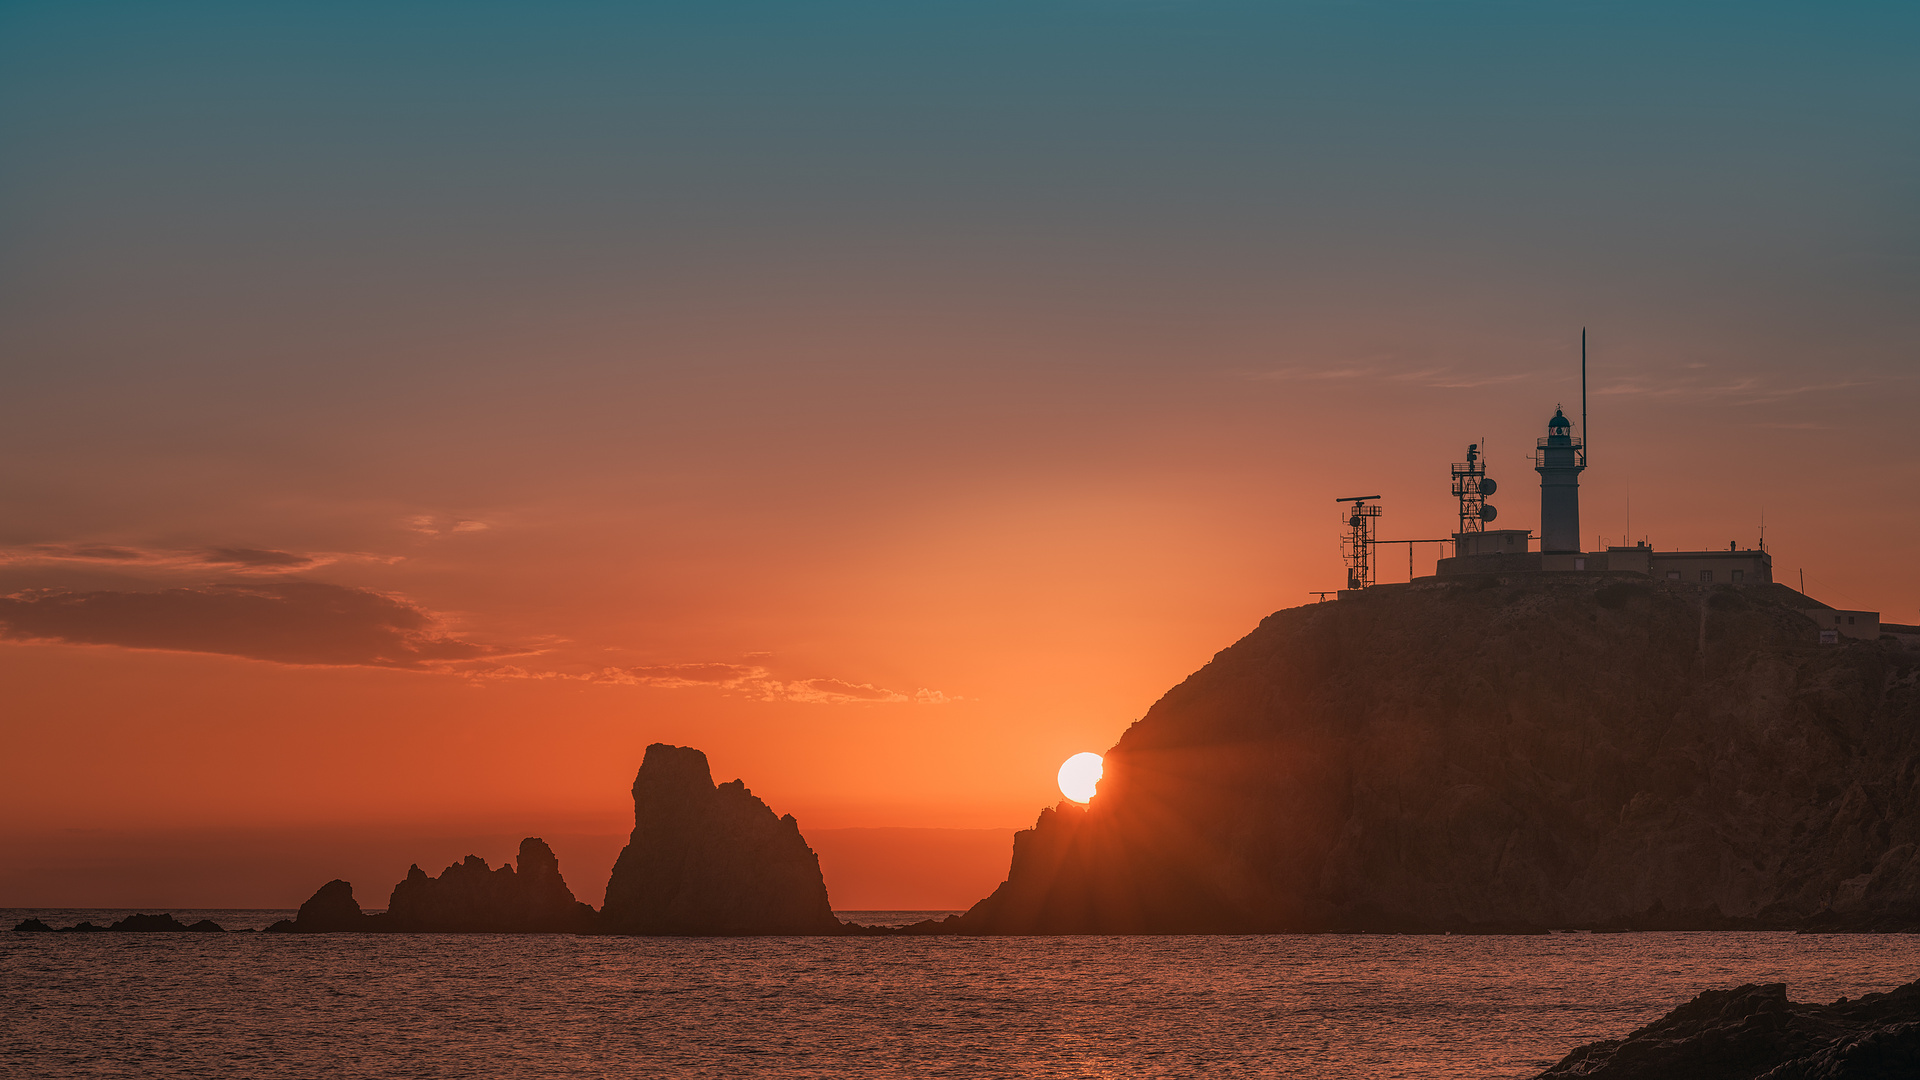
[[469, 898]]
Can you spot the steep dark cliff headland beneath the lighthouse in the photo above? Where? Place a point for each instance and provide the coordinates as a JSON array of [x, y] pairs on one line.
[[1502, 752]]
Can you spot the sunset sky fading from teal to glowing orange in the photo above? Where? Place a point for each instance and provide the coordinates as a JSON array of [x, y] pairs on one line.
[[416, 410]]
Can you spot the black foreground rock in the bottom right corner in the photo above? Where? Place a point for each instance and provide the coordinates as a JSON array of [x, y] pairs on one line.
[[1754, 1031]]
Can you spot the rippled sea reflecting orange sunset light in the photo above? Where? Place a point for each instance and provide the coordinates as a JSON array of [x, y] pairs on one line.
[[1326, 1006]]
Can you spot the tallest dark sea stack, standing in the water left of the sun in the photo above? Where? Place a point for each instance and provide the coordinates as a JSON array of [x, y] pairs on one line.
[[711, 860]]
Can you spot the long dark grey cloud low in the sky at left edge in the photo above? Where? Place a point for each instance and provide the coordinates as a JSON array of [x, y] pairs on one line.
[[297, 624]]
